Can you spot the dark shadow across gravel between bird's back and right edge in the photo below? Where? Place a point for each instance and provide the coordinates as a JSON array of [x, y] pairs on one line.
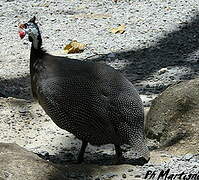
[[176, 49]]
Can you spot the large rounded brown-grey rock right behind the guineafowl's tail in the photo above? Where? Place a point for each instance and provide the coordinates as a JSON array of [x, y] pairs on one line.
[[173, 117]]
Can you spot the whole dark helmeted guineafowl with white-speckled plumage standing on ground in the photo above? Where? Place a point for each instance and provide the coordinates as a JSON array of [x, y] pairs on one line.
[[91, 100]]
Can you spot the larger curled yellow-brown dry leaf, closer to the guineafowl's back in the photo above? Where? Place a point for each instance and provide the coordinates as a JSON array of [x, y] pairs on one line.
[[74, 47]]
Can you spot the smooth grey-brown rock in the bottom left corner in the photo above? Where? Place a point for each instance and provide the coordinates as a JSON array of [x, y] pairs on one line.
[[20, 164]]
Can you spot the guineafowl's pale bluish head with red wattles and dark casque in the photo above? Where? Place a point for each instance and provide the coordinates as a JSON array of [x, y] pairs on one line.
[[32, 30]]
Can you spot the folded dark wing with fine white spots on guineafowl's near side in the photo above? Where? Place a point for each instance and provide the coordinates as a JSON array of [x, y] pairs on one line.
[[78, 103]]
